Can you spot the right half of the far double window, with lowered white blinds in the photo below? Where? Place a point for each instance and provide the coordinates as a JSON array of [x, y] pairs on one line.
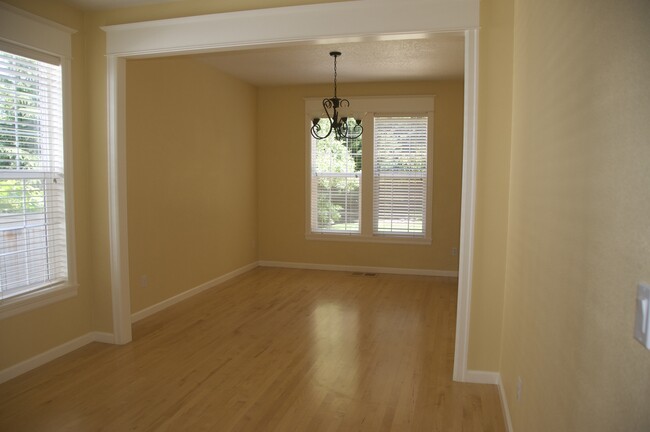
[[400, 176]]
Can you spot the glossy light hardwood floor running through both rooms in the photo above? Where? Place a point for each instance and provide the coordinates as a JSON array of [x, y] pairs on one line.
[[273, 350]]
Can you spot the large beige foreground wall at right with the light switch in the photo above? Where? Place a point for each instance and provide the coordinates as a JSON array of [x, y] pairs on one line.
[[579, 226]]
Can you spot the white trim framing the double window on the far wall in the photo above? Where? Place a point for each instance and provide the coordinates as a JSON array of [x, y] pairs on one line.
[[372, 106]]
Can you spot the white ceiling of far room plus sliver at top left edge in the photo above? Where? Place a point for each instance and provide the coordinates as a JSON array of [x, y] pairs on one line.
[[437, 56]]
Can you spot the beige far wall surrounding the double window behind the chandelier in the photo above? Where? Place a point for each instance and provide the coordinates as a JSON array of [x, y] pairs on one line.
[[282, 180]]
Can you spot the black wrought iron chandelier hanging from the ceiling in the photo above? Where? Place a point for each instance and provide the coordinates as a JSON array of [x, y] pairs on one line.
[[343, 127]]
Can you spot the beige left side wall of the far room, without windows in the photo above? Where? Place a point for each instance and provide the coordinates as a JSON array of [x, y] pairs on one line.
[[191, 176]]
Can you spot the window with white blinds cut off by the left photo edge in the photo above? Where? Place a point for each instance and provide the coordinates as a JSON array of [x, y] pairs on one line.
[[33, 251]]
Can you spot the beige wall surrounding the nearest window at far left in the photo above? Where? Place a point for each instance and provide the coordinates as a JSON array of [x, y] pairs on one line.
[[25, 335]]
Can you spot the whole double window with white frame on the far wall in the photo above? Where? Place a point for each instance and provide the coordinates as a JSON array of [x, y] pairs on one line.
[[391, 200]]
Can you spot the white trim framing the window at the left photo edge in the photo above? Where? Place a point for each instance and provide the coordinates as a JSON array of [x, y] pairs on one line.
[[23, 29]]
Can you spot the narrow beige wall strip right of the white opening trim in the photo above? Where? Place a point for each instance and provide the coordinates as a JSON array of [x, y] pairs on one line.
[[492, 176]]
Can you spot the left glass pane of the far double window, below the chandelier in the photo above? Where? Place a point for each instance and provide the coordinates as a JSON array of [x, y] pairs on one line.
[[336, 181]]
